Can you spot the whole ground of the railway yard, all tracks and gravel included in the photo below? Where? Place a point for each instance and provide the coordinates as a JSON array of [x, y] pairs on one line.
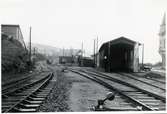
[[70, 88]]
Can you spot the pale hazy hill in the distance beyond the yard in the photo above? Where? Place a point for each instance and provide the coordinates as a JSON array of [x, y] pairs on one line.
[[52, 51]]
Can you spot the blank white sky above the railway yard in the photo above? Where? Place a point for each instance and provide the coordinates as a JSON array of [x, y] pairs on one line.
[[68, 23]]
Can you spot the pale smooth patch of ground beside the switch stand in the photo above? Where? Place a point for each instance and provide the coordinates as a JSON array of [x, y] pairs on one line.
[[84, 93]]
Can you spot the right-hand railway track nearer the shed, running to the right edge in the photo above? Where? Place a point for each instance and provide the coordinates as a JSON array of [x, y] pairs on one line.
[[139, 84]]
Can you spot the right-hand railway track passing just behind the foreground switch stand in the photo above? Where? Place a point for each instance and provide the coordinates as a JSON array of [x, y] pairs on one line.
[[132, 96]]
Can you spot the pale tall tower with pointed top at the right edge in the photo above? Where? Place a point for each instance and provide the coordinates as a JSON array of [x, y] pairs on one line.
[[162, 38]]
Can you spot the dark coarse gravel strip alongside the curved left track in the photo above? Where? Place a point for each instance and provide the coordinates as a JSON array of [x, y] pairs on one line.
[[56, 101]]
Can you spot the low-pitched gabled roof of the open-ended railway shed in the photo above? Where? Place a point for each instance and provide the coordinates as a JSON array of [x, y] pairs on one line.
[[119, 40]]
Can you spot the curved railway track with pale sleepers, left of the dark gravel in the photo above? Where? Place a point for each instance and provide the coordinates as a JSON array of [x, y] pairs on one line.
[[27, 97]]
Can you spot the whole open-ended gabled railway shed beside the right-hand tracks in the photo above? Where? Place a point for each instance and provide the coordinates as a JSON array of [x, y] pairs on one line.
[[121, 54]]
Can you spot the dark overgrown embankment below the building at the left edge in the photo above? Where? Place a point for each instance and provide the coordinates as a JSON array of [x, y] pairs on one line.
[[13, 55]]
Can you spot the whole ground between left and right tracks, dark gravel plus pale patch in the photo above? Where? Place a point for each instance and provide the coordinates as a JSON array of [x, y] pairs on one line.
[[72, 93]]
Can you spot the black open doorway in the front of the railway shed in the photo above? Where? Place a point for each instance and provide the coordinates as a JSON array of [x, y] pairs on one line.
[[121, 57]]
